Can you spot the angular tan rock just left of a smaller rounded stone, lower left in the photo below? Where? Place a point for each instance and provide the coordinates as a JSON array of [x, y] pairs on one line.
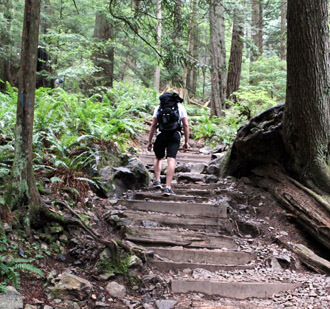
[[71, 285]]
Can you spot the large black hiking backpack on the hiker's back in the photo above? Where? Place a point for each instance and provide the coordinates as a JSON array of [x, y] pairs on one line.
[[168, 113]]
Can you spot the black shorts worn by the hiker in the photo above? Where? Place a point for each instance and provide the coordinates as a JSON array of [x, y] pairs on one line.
[[169, 142]]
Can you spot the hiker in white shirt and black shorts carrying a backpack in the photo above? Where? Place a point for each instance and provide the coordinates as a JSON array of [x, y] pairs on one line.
[[167, 118]]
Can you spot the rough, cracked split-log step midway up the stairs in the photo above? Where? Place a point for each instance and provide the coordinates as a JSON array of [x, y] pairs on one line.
[[175, 237]]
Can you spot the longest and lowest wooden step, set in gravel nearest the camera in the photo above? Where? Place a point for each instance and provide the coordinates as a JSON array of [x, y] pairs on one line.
[[236, 290]]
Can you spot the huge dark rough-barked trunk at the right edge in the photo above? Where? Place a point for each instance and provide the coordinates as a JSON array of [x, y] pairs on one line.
[[306, 125]]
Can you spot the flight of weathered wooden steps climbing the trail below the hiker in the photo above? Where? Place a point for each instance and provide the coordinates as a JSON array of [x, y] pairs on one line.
[[191, 239]]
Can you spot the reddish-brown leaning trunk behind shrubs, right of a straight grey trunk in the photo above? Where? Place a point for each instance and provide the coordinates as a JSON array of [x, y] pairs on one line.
[[236, 54]]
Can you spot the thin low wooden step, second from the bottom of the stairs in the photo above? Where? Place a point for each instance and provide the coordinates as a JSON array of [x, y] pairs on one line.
[[180, 266]]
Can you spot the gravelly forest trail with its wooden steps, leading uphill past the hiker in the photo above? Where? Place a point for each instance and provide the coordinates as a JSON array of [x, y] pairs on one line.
[[193, 242]]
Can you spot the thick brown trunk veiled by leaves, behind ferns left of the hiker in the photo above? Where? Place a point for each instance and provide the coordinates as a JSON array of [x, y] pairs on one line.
[[104, 56]]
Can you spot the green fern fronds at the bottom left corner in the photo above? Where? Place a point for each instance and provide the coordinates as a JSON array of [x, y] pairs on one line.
[[10, 268]]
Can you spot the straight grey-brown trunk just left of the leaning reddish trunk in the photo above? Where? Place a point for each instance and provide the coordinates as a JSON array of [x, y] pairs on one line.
[[218, 57]]
